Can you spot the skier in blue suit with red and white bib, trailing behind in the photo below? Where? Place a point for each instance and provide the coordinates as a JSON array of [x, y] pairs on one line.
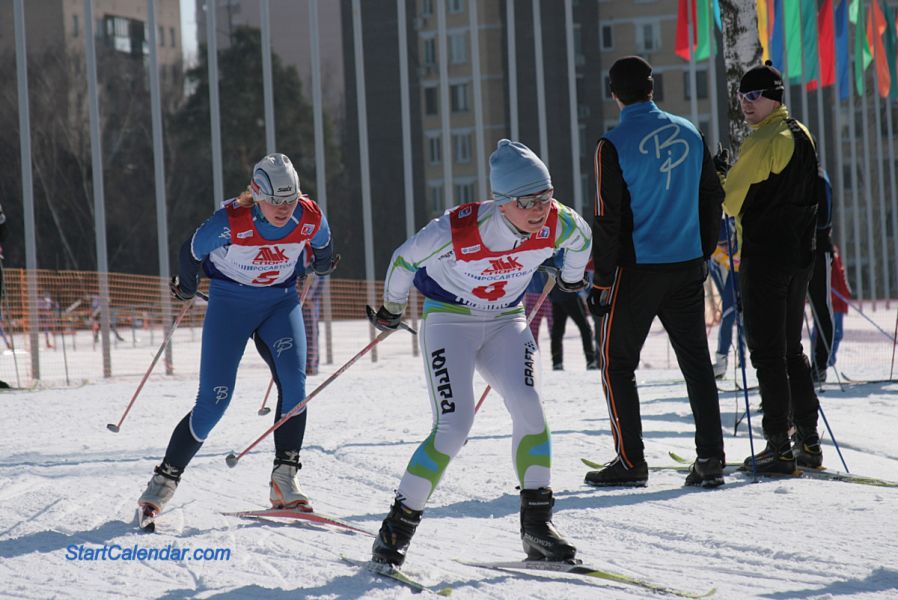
[[251, 250]]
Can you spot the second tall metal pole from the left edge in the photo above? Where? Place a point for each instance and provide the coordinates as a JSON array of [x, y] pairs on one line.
[[96, 151]]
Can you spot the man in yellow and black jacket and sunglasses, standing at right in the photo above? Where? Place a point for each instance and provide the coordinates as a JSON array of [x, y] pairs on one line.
[[772, 191]]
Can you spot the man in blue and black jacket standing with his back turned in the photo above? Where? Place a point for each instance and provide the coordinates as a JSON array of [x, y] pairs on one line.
[[657, 216]]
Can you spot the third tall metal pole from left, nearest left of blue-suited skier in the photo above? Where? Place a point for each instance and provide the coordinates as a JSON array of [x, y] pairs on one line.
[[159, 173]]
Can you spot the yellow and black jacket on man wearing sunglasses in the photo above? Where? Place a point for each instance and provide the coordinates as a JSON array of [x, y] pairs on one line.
[[773, 191]]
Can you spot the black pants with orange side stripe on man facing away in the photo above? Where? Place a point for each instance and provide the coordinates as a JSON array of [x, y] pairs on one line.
[[676, 296]]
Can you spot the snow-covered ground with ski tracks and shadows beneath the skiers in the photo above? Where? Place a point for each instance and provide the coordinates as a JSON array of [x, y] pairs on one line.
[[66, 482]]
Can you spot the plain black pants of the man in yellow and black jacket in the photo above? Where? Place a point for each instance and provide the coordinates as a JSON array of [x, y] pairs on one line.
[[773, 298]]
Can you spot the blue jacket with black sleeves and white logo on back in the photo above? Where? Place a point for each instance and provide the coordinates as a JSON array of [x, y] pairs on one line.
[[658, 197]]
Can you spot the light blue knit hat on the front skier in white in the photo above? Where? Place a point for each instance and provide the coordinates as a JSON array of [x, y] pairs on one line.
[[516, 171]]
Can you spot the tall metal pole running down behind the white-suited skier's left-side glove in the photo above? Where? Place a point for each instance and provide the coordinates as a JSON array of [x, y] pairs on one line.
[[362, 110]]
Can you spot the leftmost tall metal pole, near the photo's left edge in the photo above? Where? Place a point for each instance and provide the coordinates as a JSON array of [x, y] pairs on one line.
[[27, 184]]
